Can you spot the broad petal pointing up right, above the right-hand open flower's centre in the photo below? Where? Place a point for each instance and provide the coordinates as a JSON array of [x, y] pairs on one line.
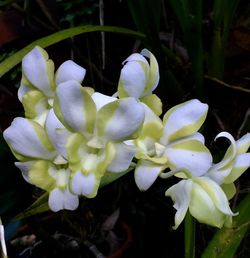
[[183, 120]]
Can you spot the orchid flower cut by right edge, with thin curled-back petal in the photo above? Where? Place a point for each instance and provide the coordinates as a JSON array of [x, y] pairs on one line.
[[234, 163]]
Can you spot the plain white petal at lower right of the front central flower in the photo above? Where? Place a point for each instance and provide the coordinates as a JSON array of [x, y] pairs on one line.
[[123, 157]]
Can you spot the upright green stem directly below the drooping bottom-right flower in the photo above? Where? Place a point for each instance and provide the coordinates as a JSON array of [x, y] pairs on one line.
[[189, 225]]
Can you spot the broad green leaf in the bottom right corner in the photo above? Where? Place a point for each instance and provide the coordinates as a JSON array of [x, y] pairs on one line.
[[226, 241]]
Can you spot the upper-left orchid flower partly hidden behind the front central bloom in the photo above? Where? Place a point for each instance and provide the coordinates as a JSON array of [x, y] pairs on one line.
[[38, 83]]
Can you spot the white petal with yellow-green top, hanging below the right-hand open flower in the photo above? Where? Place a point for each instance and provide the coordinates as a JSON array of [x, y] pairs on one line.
[[146, 173]]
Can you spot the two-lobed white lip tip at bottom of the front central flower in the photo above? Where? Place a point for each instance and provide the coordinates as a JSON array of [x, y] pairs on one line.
[[84, 185]]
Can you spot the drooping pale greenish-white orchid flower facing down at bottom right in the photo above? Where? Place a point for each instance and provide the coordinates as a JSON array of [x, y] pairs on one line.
[[204, 199]]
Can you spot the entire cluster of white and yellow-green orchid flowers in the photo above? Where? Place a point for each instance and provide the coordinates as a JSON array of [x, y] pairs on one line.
[[72, 137]]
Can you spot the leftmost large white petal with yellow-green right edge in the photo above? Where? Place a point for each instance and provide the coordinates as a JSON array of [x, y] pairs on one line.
[[28, 138]]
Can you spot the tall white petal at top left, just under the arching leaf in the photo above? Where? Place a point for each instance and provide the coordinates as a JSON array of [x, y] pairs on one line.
[[39, 70]]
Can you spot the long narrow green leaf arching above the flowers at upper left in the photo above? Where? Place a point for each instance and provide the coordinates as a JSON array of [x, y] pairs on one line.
[[54, 38]]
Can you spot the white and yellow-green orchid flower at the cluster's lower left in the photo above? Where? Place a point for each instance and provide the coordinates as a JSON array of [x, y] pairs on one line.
[[40, 162]]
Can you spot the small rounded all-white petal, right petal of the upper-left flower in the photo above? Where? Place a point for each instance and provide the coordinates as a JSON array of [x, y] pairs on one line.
[[69, 70]]
